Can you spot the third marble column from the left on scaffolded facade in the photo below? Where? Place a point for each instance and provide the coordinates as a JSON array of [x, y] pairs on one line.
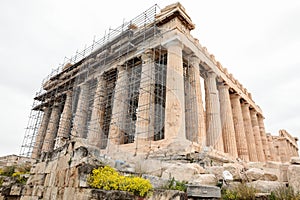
[[64, 128]]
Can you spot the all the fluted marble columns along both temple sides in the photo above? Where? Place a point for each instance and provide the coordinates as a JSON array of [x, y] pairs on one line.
[[229, 124]]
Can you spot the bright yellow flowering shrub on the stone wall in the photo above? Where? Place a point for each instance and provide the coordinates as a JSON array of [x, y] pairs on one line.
[[109, 179]]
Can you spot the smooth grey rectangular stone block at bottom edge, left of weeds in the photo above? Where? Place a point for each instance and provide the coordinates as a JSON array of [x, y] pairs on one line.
[[200, 191]]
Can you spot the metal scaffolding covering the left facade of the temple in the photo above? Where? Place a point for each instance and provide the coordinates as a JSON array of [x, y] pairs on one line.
[[86, 67]]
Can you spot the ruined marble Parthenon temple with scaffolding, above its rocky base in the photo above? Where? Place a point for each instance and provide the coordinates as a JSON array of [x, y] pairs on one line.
[[146, 86]]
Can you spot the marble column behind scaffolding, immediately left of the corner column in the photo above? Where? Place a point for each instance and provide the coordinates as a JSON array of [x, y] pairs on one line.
[[146, 104]]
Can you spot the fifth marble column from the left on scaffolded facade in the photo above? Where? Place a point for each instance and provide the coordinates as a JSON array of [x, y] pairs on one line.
[[95, 134]]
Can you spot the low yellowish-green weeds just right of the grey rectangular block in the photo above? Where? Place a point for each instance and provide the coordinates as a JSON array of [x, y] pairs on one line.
[[241, 192]]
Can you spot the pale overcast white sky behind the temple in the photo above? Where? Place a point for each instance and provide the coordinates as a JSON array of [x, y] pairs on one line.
[[258, 41]]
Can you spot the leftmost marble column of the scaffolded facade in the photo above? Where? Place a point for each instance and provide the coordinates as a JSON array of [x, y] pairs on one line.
[[41, 134]]
